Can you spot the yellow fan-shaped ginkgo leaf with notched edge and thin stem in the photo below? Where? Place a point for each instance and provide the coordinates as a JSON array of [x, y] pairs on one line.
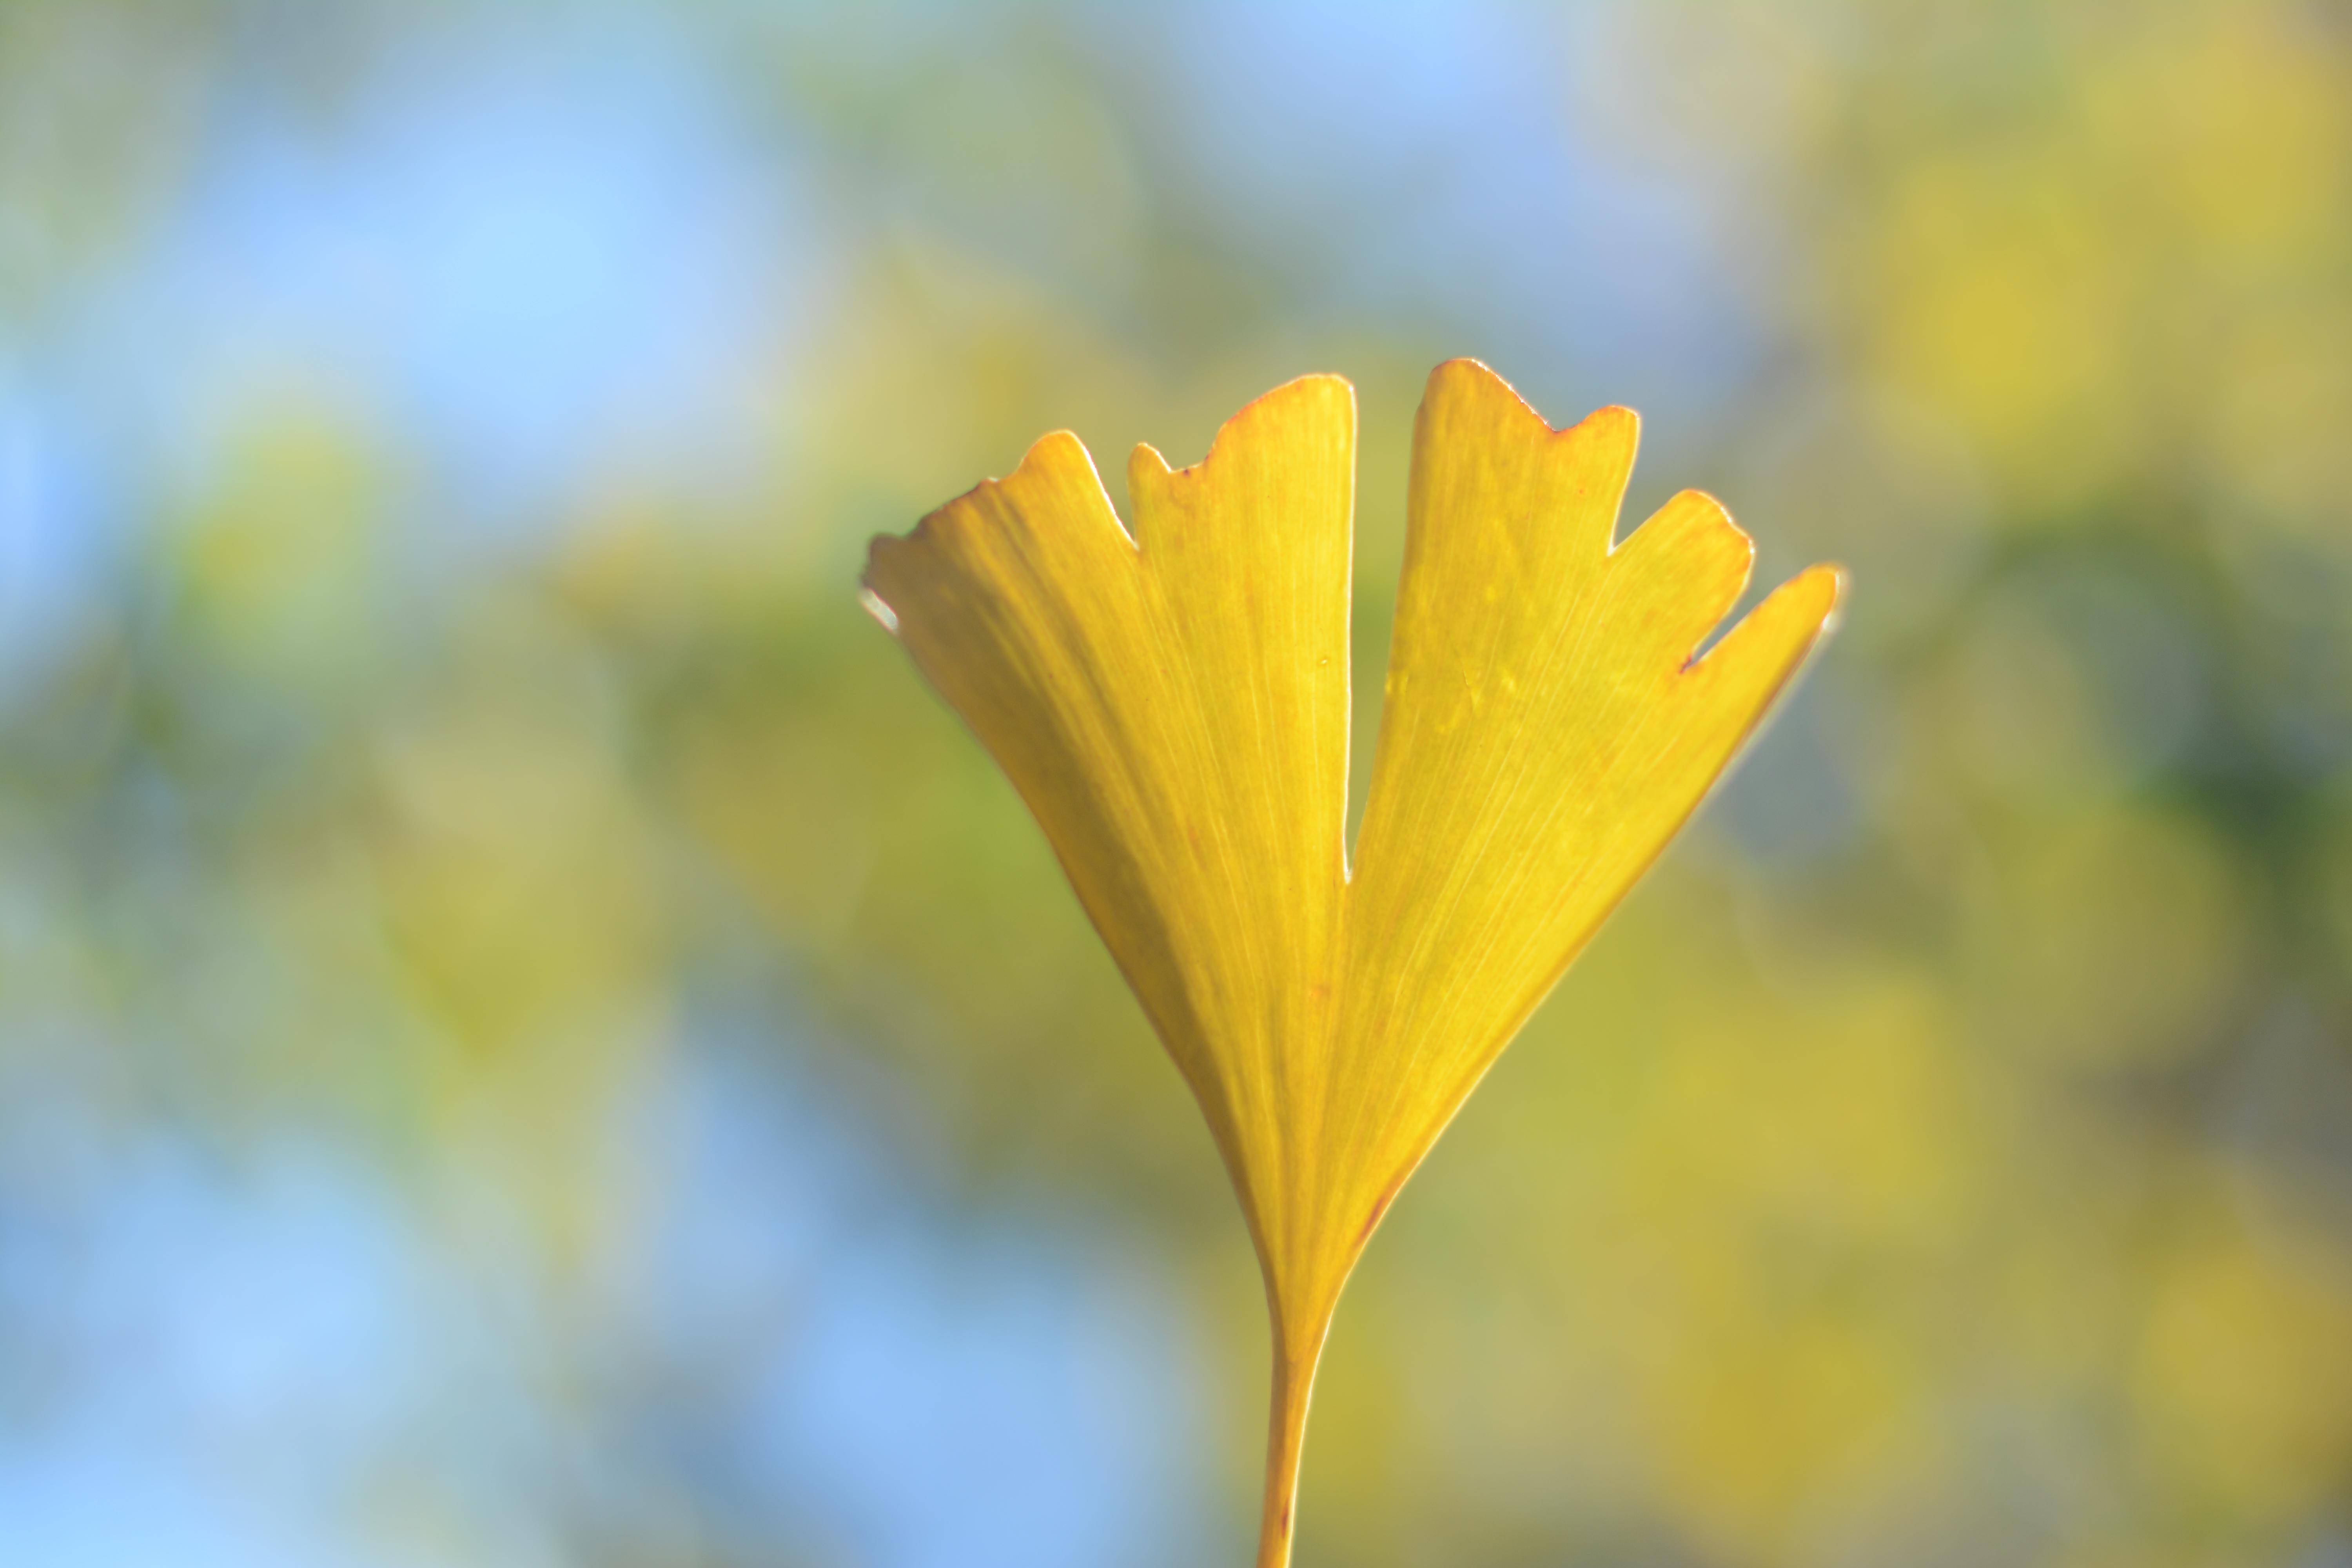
[[1175, 711]]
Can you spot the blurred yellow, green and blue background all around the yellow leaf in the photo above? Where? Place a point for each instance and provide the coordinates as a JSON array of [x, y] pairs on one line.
[[528, 1038]]
